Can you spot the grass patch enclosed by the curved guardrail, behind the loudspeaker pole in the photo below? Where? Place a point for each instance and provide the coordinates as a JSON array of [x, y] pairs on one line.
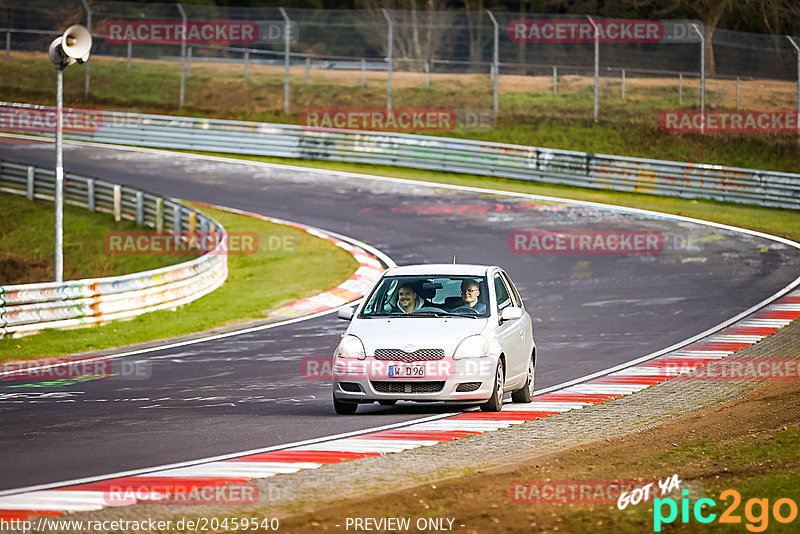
[[27, 243]]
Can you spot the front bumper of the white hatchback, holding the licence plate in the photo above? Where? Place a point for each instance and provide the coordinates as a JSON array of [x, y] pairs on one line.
[[448, 380]]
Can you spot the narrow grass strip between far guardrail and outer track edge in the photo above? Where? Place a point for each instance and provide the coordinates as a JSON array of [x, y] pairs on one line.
[[775, 221]]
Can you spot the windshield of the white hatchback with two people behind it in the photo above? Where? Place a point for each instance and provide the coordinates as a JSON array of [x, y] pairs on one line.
[[429, 296]]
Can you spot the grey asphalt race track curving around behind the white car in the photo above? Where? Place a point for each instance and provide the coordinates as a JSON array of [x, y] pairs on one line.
[[591, 311]]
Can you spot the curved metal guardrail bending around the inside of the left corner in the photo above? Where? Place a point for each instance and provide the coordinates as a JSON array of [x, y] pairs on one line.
[[28, 308]]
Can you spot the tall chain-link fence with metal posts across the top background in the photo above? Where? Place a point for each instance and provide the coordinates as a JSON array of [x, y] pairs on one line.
[[477, 59]]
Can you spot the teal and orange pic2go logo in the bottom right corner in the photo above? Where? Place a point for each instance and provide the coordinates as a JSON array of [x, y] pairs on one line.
[[756, 511]]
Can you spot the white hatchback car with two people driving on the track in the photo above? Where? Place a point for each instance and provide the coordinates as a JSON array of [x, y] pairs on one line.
[[453, 333]]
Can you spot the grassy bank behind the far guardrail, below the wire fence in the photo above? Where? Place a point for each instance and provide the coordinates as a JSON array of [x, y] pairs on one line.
[[527, 117]]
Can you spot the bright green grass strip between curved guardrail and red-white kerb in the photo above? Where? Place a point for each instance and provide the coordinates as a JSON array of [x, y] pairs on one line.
[[256, 284]]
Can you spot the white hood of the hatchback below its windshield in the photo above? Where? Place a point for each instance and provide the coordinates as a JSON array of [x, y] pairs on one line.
[[410, 334]]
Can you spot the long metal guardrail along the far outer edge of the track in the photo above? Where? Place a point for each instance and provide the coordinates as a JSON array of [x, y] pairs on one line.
[[765, 188]]
